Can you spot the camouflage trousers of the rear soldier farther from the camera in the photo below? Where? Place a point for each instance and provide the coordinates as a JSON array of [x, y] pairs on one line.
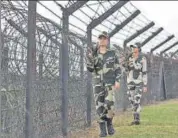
[[134, 95]]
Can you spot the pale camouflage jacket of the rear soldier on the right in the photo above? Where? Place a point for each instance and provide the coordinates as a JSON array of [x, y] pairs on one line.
[[137, 70]]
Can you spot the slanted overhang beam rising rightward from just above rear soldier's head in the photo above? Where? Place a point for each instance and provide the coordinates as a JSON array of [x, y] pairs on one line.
[[139, 32]]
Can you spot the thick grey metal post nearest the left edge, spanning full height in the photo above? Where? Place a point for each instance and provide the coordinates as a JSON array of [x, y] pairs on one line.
[[30, 67]]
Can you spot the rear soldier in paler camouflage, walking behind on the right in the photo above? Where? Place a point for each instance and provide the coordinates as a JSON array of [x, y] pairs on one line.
[[136, 80]]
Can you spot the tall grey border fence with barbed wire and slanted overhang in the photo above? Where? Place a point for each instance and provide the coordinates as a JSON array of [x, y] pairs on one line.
[[45, 89]]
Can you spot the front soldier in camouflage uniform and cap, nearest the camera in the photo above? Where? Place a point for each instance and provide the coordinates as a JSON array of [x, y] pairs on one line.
[[104, 65]]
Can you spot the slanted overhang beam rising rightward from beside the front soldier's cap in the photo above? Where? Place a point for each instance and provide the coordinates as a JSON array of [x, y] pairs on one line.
[[124, 23]]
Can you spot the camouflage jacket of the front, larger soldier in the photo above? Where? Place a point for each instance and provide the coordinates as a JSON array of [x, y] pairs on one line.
[[105, 67]]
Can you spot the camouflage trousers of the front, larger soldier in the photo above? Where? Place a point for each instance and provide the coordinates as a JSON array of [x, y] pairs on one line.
[[104, 102]]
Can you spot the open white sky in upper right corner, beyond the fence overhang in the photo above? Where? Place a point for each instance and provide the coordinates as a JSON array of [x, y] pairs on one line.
[[164, 13]]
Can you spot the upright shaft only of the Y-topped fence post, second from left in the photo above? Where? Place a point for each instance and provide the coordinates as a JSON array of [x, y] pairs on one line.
[[64, 60]]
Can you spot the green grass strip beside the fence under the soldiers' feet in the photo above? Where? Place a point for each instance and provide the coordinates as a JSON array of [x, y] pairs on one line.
[[157, 121]]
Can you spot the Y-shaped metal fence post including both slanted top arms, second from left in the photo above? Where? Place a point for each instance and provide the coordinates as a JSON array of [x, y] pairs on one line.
[[64, 60]]
